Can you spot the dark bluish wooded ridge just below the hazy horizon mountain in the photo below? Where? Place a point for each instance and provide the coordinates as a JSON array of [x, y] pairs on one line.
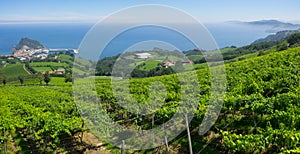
[[277, 37]]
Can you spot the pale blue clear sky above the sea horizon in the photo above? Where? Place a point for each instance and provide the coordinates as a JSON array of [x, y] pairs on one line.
[[95, 10]]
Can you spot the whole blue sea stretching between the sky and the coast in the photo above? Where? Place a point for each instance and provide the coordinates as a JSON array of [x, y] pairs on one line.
[[70, 35]]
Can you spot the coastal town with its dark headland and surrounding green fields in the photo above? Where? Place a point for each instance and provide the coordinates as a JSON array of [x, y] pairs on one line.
[[31, 57]]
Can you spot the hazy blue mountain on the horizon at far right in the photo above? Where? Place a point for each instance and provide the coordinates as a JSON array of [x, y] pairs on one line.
[[272, 26]]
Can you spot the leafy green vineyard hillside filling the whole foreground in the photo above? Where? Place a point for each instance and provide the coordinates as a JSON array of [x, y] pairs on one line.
[[260, 114]]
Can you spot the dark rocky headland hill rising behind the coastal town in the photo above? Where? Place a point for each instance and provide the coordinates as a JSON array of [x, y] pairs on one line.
[[29, 44]]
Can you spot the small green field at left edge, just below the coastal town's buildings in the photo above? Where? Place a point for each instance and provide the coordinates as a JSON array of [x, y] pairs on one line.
[[14, 70]]
